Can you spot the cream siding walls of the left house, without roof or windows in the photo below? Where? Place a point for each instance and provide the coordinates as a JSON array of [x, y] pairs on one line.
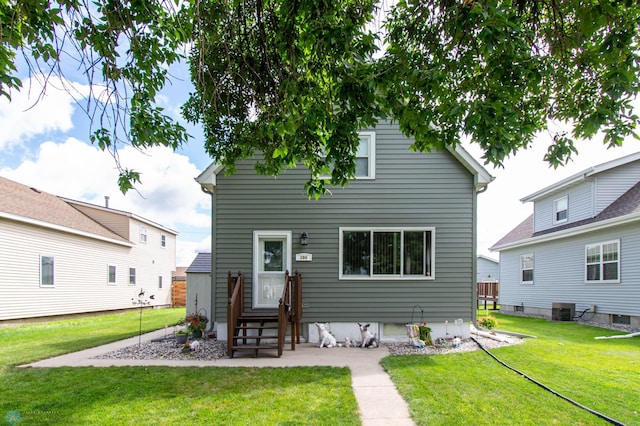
[[80, 266]]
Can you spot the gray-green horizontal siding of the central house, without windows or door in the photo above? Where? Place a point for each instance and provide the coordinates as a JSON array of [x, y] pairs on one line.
[[410, 190]]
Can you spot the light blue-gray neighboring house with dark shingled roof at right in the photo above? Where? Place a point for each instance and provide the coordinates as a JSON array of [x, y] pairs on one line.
[[579, 252]]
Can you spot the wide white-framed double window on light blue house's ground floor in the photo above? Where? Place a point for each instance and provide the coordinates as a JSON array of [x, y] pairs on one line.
[[602, 262]]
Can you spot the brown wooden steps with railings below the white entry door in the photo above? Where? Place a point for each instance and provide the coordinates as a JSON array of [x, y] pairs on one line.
[[256, 330]]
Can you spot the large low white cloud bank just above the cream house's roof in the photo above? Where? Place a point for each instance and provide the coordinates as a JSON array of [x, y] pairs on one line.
[[172, 198]]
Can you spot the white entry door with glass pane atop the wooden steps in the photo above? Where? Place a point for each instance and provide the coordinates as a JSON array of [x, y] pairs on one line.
[[271, 258]]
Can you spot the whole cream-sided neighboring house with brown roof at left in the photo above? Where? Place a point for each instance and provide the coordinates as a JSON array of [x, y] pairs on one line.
[[60, 256]]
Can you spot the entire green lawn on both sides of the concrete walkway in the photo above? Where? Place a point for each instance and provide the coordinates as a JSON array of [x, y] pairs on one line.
[[467, 388]]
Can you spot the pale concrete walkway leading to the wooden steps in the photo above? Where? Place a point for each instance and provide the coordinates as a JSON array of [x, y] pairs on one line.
[[378, 399]]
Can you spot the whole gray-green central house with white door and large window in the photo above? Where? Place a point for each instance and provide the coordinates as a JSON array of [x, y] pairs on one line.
[[401, 238]]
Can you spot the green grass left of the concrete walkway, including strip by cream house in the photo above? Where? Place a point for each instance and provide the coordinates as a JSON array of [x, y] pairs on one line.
[[157, 395]]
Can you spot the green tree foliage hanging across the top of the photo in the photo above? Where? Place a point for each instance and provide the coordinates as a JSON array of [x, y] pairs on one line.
[[294, 80]]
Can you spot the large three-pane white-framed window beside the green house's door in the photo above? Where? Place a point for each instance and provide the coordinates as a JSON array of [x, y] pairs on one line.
[[386, 252]]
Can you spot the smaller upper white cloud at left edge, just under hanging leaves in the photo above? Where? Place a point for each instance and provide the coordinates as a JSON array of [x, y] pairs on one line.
[[32, 112]]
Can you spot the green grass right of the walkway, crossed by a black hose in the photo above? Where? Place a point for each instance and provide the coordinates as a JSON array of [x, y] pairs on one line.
[[472, 388]]
